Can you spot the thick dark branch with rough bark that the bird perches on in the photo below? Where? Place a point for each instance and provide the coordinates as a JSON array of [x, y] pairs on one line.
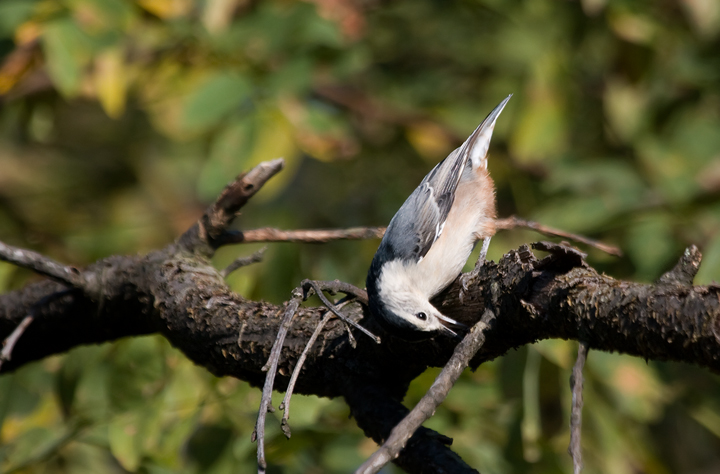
[[177, 293]]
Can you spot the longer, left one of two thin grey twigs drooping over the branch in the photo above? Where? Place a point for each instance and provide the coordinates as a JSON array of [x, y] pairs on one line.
[[271, 368]]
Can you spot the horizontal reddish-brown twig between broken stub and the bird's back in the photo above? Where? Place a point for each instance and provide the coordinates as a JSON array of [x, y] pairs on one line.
[[315, 236]]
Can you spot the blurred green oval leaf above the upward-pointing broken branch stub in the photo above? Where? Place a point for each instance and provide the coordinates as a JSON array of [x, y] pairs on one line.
[[214, 99]]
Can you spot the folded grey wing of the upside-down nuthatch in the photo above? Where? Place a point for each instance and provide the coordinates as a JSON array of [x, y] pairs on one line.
[[420, 220]]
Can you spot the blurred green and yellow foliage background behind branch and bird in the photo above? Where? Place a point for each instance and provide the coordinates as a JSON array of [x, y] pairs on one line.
[[121, 120]]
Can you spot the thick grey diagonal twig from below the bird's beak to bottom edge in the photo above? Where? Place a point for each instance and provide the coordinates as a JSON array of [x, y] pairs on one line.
[[468, 347]]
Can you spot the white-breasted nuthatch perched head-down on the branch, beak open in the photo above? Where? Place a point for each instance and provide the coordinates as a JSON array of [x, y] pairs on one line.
[[431, 237]]
